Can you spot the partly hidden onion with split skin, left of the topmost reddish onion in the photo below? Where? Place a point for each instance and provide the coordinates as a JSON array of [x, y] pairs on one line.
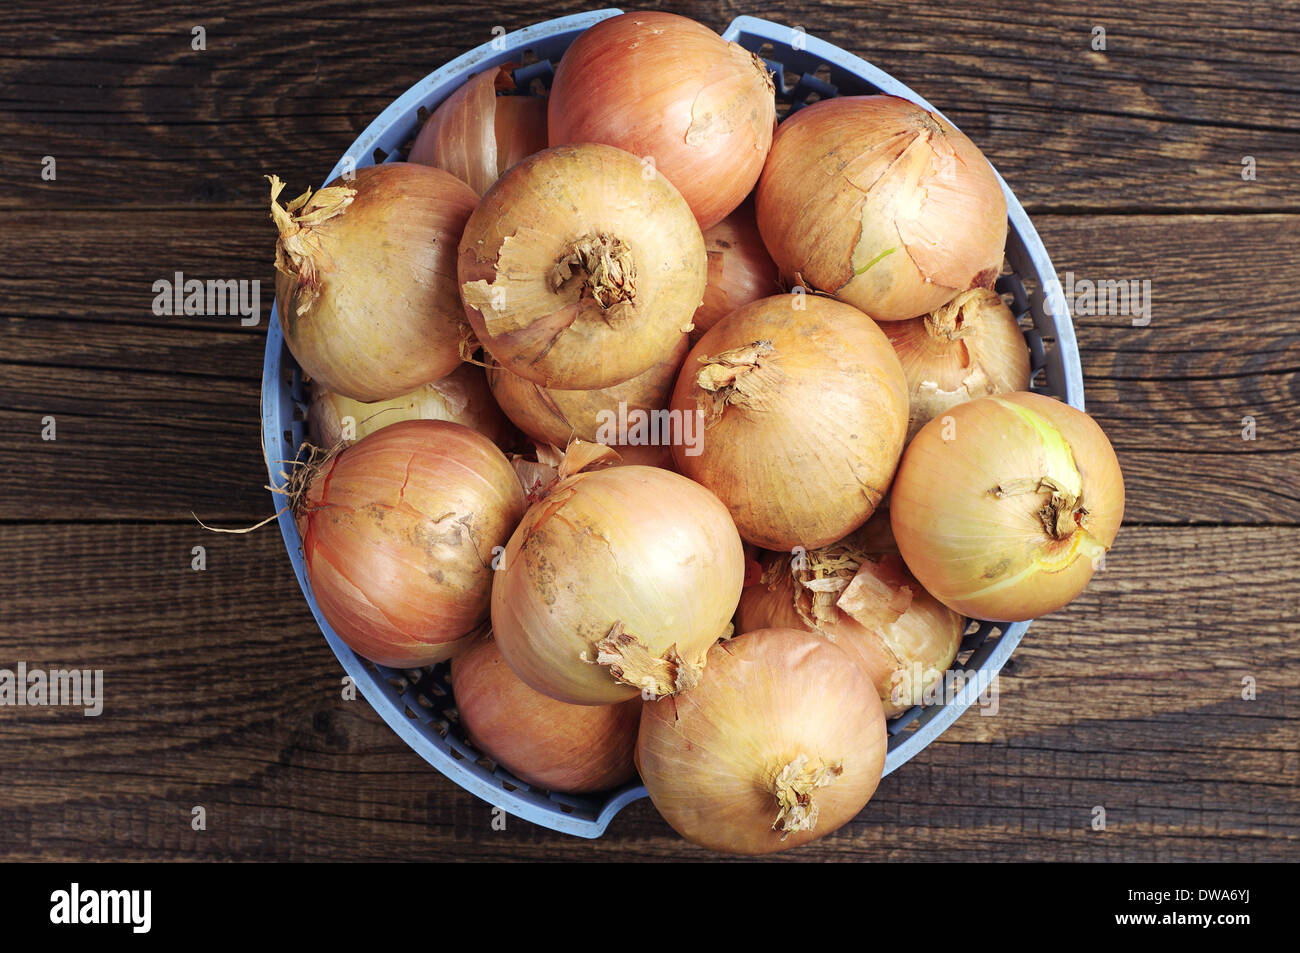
[[476, 135]]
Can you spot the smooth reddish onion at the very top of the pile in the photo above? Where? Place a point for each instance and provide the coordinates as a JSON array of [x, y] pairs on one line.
[[671, 90]]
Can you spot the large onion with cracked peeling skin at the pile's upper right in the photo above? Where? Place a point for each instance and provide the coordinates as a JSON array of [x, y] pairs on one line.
[[882, 205]]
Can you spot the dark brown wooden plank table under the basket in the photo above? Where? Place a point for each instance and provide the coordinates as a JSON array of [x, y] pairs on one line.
[[219, 688]]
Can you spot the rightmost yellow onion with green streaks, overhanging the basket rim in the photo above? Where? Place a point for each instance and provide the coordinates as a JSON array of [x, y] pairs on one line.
[[1004, 508]]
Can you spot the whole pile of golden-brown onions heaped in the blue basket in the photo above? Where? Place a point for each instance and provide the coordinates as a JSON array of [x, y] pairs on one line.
[[705, 555]]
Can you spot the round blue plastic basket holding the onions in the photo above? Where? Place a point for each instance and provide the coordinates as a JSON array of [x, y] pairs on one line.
[[418, 705]]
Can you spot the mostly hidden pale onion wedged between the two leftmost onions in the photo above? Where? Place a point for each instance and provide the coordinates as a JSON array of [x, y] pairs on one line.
[[463, 397]]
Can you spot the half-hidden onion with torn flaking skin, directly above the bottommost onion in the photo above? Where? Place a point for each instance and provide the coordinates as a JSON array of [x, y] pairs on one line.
[[870, 607]]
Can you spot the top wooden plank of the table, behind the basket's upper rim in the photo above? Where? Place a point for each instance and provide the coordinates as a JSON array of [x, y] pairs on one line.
[[1162, 119]]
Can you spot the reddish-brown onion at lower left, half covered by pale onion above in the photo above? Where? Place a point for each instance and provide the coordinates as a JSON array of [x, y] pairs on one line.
[[544, 743]]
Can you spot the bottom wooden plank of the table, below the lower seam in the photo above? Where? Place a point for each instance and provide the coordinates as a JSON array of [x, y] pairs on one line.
[[219, 691]]
